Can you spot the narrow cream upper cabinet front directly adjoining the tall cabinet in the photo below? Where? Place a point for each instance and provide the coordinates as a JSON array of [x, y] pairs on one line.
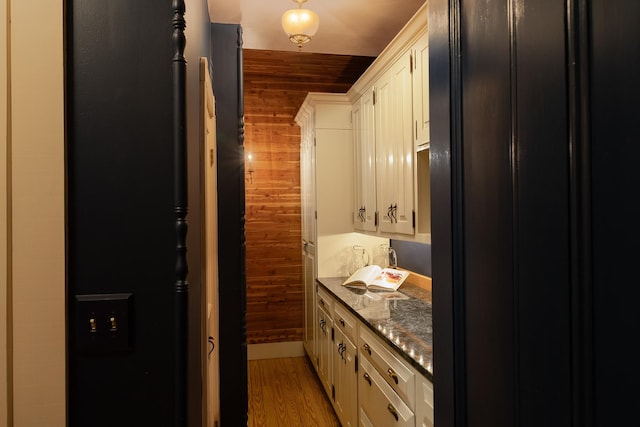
[[365, 163]]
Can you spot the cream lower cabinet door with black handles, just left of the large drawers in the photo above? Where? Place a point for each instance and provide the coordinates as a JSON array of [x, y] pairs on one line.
[[345, 379]]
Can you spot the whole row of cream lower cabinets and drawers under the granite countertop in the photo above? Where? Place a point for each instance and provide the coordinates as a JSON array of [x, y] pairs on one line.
[[369, 384]]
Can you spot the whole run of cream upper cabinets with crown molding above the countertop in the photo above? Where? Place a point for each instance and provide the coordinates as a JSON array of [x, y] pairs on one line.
[[398, 82]]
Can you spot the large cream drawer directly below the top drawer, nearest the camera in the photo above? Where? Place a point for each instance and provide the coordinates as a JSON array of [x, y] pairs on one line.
[[379, 404]]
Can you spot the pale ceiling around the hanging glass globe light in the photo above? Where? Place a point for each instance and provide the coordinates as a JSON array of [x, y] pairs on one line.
[[347, 27]]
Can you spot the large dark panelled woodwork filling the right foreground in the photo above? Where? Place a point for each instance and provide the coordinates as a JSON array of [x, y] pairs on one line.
[[533, 148]]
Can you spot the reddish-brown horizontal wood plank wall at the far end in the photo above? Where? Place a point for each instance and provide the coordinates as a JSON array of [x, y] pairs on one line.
[[275, 85]]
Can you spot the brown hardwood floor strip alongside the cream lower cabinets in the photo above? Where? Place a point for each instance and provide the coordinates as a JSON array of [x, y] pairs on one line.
[[285, 393]]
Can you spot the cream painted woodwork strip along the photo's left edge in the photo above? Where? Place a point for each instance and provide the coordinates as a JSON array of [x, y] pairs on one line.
[[34, 214]]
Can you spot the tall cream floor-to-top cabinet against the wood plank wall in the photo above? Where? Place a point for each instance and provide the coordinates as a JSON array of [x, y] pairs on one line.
[[326, 181]]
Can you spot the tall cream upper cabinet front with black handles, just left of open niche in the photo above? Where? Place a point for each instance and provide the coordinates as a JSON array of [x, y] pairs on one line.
[[395, 150]]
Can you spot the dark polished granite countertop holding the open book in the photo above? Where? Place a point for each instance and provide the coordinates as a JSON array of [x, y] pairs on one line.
[[404, 324]]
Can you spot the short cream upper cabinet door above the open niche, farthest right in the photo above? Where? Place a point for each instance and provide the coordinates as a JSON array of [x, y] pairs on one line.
[[421, 90]]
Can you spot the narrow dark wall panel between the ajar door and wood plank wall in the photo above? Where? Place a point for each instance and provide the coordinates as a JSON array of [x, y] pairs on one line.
[[226, 63]]
